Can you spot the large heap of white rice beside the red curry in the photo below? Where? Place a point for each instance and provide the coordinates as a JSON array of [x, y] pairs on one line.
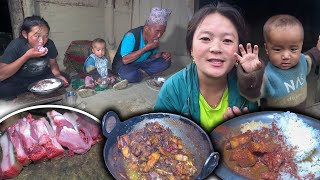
[[305, 141]]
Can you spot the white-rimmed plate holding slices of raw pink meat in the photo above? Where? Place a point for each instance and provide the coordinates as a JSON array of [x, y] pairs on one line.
[[62, 136]]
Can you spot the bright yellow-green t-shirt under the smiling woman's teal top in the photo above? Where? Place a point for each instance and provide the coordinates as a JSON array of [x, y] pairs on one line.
[[211, 117]]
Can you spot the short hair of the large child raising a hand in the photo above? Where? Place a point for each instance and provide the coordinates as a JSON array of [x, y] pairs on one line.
[[280, 21]]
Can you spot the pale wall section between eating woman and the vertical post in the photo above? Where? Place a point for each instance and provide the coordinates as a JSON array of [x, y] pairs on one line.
[[72, 20]]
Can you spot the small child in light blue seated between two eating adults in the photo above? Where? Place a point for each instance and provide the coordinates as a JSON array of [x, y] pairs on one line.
[[97, 60]]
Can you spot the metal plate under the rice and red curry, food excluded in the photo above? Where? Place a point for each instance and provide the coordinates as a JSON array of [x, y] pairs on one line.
[[232, 127]]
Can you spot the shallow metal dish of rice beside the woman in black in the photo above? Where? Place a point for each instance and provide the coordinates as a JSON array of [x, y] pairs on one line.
[[58, 83]]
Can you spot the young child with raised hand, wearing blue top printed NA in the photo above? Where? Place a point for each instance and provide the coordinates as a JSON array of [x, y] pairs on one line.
[[283, 83]]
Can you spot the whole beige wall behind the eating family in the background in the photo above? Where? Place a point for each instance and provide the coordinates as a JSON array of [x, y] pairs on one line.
[[109, 19]]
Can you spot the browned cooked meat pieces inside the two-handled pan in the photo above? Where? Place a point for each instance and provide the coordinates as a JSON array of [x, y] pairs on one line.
[[155, 153]]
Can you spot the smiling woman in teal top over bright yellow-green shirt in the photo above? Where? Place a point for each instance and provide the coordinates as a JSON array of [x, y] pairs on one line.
[[206, 90]]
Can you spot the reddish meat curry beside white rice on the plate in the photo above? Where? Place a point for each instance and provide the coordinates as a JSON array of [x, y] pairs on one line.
[[258, 155]]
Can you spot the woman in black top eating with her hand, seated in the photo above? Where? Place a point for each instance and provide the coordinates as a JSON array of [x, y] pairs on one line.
[[28, 59]]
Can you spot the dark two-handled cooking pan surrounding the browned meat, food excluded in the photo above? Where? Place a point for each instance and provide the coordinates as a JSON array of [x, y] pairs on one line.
[[194, 138]]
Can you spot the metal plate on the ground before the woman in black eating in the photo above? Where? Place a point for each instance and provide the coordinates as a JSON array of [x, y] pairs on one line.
[[32, 86]]
